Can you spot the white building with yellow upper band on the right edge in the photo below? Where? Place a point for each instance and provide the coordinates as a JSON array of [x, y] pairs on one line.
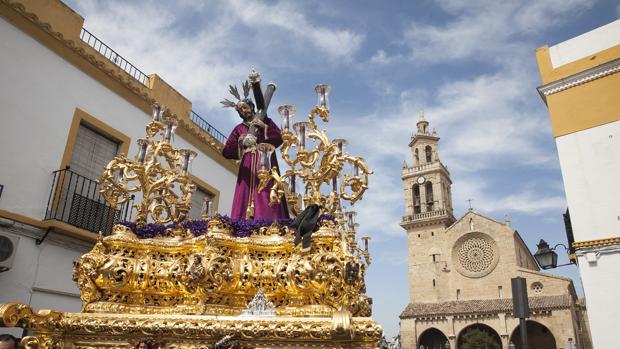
[[581, 87]]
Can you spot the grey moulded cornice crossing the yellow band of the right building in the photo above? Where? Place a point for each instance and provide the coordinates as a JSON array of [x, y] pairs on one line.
[[580, 78]]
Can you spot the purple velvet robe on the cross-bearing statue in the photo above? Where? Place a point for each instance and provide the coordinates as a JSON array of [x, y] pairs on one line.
[[232, 150]]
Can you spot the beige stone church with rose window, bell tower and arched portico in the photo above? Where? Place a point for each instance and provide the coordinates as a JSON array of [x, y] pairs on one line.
[[460, 270]]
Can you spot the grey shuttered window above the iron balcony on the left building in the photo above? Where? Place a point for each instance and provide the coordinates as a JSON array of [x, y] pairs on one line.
[[92, 152]]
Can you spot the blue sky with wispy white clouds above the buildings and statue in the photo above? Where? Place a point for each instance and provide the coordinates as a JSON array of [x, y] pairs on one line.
[[469, 64]]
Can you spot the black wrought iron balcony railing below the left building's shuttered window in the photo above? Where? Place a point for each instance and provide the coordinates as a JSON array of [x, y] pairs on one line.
[[76, 200]]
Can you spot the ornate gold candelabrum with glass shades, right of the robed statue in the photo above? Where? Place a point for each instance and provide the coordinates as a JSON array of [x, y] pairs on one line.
[[316, 167]]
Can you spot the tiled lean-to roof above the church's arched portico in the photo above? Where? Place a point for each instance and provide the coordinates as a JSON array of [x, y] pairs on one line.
[[482, 306]]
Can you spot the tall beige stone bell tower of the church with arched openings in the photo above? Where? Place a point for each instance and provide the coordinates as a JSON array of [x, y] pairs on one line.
[[428, 212]]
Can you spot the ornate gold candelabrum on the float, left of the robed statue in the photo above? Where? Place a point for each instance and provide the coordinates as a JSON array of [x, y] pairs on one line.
[[159, 171]]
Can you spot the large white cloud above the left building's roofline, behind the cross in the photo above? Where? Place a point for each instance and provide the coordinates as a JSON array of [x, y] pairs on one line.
[[201, 57]]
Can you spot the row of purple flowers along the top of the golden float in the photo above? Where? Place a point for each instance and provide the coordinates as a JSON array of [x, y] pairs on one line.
[[240, 227]]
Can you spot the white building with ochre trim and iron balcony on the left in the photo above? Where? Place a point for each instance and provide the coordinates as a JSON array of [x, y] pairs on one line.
[[69, 104]]
